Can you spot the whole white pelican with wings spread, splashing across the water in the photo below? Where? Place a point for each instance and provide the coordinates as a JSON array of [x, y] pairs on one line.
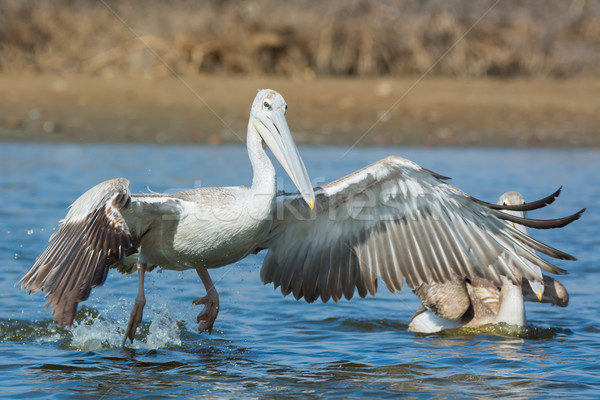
[[394, 219]]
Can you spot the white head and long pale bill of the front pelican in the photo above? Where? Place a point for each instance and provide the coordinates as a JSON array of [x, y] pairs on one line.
[[267, 117]]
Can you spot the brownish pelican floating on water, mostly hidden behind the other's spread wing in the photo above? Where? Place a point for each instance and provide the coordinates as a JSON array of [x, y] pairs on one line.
[[476, 302]]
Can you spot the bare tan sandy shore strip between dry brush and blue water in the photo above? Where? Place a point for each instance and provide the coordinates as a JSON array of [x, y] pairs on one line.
[[383, 111]]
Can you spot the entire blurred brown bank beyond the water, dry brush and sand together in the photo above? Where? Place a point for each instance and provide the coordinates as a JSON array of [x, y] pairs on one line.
[[55, 56]]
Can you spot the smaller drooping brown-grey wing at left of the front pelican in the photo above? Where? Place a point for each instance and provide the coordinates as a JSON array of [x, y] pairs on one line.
[[92, 236]]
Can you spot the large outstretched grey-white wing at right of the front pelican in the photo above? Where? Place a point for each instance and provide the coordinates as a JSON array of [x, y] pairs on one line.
[[395, 219]]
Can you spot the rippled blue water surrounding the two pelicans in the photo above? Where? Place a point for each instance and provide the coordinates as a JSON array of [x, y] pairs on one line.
[[265, 345]]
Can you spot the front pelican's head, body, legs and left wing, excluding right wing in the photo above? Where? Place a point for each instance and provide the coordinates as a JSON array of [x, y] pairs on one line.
[[199, 229]]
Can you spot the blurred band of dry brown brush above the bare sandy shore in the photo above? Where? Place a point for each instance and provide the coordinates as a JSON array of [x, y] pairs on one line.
[[555, 38]]
